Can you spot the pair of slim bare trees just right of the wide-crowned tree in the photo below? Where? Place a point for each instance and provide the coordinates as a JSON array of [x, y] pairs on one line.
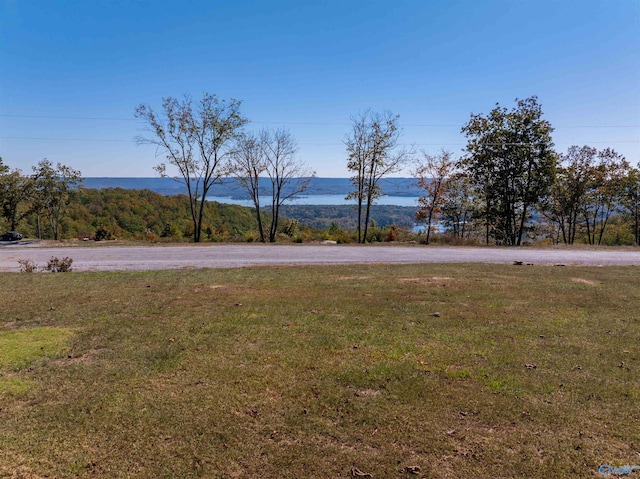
[[271, 157]]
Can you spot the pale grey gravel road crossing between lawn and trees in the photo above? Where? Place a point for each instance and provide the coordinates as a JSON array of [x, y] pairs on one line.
[[105, 257]]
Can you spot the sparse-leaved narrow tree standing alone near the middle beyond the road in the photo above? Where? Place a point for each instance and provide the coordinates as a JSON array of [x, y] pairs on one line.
[[373, 153]]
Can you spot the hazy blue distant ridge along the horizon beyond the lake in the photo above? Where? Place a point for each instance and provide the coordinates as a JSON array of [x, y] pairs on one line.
[[231, 188]]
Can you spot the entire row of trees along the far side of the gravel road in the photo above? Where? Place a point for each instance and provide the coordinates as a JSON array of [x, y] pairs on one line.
[[508, 187]]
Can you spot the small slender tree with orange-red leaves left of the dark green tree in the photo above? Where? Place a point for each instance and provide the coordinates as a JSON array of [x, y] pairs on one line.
[[432, 173]]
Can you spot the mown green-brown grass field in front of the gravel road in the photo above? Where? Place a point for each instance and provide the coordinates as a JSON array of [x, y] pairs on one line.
[[435, 371]]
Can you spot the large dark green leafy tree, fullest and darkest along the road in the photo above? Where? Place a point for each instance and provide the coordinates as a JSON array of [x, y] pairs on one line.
[[511, 164]]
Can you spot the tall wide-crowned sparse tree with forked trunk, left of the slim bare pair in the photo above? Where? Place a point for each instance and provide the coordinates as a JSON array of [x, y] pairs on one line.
[[196, 141]]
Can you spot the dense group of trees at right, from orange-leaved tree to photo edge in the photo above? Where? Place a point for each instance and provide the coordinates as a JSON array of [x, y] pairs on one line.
[[511, 186]]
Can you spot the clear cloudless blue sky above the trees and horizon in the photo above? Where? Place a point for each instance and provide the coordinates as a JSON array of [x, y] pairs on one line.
[[72, 72]]
